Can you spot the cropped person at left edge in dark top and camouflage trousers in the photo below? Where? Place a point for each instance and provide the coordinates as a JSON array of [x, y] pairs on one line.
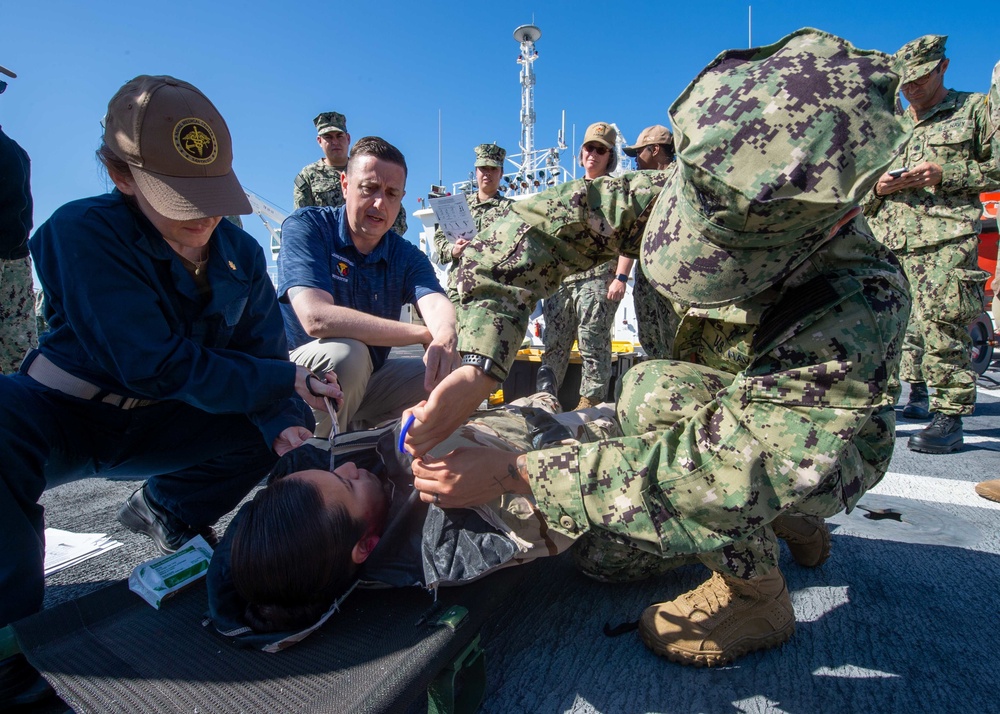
[[17, 300]]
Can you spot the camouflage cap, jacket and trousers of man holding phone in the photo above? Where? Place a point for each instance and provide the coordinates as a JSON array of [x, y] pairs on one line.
[[935, 233]]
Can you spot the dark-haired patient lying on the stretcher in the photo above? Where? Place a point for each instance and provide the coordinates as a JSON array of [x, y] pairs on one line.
[[306, 540]]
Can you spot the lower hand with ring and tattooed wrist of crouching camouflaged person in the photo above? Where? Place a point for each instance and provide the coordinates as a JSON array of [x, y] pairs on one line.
[[469, 476]]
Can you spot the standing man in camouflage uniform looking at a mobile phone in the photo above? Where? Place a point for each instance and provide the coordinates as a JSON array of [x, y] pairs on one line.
[[927, 211]]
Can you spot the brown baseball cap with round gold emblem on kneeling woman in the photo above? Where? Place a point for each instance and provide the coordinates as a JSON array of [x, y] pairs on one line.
[[178, 148]]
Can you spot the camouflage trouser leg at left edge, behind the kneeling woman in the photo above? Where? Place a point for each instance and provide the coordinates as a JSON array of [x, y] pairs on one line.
[[17, 313]]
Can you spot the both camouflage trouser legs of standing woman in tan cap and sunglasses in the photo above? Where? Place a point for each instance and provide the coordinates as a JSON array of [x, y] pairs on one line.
[[580, 310]]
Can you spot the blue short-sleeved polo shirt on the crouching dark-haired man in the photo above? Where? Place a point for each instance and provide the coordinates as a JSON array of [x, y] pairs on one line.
[[317, 252]]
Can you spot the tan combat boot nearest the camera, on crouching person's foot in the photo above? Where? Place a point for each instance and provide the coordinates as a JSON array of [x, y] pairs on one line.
[[720, 620]]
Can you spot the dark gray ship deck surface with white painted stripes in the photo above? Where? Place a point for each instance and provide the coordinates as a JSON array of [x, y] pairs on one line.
[[904, 617]]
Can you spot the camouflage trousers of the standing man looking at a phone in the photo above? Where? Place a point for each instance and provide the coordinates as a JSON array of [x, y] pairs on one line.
[[948, 293]]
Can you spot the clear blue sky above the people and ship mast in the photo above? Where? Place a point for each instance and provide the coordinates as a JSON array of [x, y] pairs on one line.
[[391, 66]]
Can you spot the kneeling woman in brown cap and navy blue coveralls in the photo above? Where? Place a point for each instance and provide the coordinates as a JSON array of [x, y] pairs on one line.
[[166, 354]]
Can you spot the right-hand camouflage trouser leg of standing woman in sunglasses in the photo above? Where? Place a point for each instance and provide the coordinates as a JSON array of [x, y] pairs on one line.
[[595, 316]]
